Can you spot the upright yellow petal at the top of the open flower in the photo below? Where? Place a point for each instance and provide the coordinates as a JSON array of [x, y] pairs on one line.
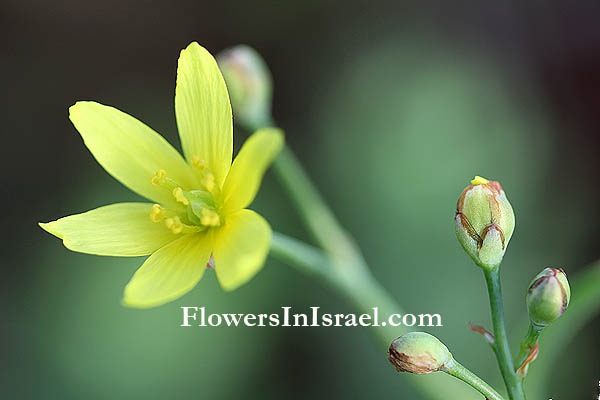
[[203, 111]]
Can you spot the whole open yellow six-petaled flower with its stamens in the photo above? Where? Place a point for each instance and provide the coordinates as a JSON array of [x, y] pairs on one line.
[[200, 215]]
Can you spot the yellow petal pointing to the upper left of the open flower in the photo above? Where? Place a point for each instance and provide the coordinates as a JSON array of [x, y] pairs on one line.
[[129, 150]]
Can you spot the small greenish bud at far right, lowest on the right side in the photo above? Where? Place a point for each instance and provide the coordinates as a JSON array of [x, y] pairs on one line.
[[548, 296]]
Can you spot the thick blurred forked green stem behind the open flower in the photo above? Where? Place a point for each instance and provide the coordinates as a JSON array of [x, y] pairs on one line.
[[342, 266]]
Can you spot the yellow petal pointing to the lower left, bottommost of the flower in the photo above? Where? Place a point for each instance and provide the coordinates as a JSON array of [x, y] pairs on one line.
[[170, 272]]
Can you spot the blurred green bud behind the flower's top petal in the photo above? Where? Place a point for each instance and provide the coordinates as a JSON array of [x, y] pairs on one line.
[[249, 84]]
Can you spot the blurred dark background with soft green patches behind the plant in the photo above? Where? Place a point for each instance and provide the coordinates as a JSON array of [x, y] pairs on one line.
[[392, 107]]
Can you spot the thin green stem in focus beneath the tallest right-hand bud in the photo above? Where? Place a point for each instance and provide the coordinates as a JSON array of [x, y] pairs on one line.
[[502, 349]]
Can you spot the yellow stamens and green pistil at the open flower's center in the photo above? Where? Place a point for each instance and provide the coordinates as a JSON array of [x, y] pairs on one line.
[[198, 208]]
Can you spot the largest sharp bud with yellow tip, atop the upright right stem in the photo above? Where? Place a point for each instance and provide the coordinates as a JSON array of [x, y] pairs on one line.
[[484, 222]]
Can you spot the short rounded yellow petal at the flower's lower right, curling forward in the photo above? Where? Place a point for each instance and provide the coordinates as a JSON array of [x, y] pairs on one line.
[[241, 248]]
